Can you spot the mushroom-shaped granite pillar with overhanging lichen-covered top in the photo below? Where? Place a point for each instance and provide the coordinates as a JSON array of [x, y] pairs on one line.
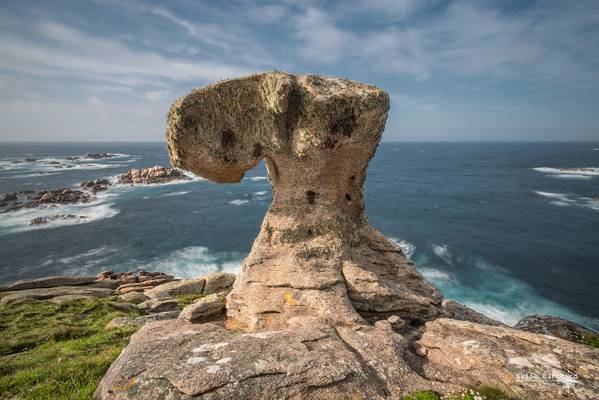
[[316, 254]]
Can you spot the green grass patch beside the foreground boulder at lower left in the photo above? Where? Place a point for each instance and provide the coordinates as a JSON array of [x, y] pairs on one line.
[[50, 351]]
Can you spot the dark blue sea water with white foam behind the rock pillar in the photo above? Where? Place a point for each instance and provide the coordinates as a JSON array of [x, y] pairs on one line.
[[496, 226]]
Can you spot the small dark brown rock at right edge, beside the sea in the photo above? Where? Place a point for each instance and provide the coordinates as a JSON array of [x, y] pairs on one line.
[[557, 327]]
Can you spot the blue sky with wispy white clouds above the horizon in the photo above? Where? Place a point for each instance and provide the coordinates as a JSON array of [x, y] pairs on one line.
[[455, 70]]
